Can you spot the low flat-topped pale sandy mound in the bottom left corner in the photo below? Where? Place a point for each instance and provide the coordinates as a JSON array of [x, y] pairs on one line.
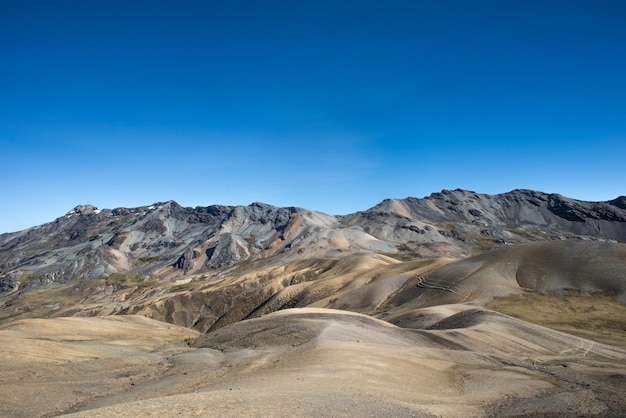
[[50, 365]]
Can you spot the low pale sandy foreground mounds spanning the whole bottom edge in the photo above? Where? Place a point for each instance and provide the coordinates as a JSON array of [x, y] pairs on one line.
[[316, 362]]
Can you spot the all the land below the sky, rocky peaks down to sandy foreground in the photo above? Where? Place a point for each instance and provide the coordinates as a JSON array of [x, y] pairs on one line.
[[456, 304]]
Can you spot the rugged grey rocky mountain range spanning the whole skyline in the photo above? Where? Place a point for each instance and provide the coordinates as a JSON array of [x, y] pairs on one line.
[[171, 241]]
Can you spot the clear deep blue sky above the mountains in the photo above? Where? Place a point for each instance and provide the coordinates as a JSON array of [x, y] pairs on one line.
[[328, 105]]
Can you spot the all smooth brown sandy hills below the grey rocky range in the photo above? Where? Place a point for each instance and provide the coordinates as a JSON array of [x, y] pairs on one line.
[[412, 338]]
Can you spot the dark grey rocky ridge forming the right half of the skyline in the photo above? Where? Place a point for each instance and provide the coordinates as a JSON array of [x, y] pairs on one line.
[[467, 223]]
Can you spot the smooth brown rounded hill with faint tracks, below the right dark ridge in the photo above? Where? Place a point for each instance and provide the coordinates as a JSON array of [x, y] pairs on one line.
[[555, 267]]
